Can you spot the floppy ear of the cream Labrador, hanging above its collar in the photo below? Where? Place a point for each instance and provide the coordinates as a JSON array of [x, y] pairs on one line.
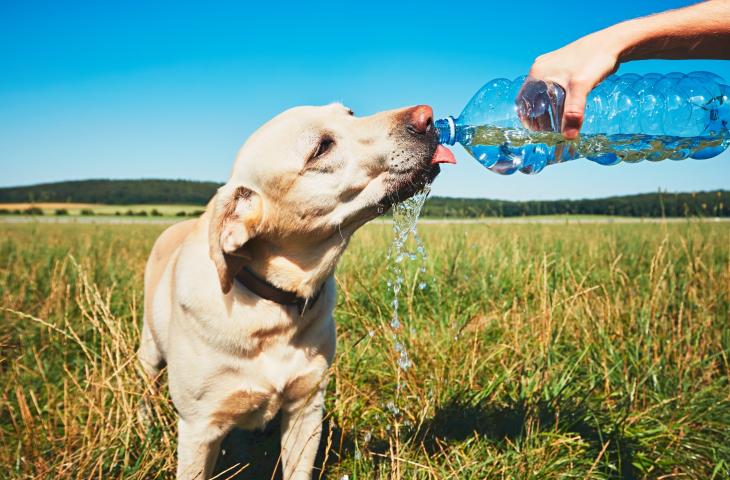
[[235, 220]]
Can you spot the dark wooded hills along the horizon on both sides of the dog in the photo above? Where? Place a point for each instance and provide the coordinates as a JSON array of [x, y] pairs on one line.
[[125, 192]]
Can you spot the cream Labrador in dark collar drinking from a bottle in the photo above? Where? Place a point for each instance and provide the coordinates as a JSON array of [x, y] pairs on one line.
[[238, 303]]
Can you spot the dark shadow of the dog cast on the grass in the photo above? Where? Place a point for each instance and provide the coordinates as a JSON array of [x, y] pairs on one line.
[[457, 420]]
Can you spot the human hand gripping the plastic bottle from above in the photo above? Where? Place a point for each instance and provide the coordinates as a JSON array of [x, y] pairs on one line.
[[578, 67]]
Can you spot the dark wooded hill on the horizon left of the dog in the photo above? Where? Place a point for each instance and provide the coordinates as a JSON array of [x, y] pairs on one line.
[[115, 192]]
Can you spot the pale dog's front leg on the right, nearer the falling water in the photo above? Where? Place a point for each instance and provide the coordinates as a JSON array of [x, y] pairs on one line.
[[301, 427]]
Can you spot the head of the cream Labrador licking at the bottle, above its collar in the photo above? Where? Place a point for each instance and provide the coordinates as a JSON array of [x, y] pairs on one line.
[[307, 179]]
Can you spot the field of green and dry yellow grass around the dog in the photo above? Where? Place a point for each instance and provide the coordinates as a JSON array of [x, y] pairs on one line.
[[540, 351]]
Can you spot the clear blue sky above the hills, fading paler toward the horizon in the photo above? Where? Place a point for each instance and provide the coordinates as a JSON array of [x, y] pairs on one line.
[[172, 89]]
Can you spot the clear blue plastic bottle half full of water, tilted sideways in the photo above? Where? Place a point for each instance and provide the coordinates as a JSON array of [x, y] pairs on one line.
[[515, 125]]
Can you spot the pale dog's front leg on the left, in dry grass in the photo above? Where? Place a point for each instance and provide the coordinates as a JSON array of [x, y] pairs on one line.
[[198, 445]]
